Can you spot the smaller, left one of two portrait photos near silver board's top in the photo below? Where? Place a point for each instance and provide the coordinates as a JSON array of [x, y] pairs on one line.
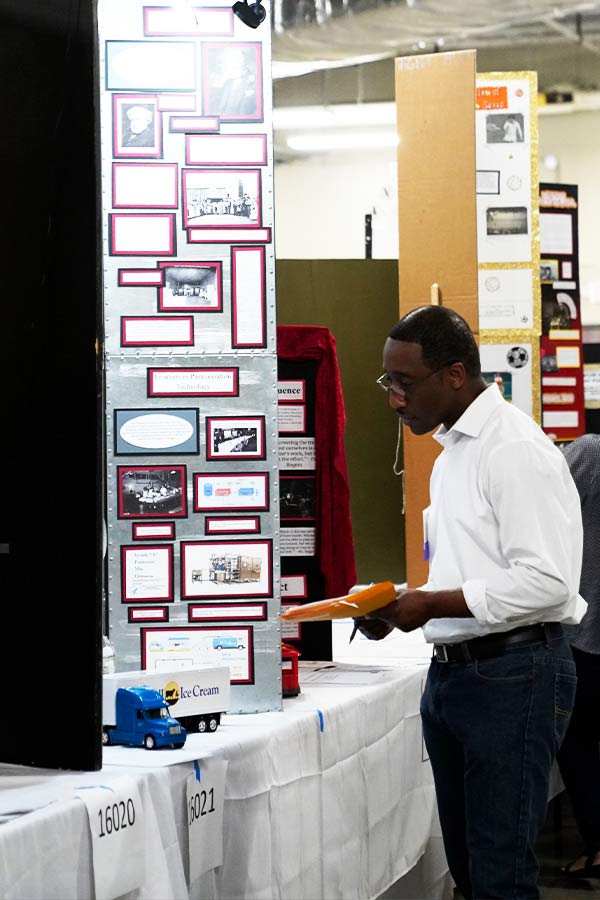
[[137, 129]]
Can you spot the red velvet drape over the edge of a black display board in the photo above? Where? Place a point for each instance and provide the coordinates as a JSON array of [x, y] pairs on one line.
[[334, 543]]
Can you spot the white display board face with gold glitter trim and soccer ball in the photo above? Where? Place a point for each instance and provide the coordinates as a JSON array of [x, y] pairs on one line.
[[508, 235]]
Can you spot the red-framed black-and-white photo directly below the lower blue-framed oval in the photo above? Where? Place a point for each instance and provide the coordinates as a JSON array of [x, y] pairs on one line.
[[152, 491]]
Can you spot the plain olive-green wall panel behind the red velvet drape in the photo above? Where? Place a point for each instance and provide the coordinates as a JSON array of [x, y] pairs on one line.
[[357, 300]]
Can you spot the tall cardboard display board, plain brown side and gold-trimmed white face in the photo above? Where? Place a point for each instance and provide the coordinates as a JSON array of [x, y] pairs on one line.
[[469, 231]]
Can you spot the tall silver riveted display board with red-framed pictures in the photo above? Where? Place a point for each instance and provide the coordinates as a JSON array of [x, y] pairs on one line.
[[192, 492]]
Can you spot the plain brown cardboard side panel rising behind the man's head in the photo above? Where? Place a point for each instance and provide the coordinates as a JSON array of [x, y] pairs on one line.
[[435, 102]]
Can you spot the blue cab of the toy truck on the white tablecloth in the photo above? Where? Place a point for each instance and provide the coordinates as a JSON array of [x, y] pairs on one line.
[[143, 720]]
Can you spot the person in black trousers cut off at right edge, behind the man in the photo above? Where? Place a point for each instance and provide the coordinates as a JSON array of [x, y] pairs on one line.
[[579, 755]]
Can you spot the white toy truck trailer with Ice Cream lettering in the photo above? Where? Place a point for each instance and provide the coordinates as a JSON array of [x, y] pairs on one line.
[[196, 696]]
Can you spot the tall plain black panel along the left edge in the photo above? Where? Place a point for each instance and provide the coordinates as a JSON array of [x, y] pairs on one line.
[[51, 510]]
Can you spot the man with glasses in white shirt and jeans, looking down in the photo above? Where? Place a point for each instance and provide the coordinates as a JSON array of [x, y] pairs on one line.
[[503, 536]]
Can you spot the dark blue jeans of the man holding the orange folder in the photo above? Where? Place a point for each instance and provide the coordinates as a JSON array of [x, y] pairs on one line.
[[492, 728]]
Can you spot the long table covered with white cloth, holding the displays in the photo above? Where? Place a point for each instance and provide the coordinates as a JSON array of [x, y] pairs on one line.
[[331, 798]]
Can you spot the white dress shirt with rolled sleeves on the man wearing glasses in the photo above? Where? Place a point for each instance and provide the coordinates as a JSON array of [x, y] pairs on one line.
[[504, 523]]
